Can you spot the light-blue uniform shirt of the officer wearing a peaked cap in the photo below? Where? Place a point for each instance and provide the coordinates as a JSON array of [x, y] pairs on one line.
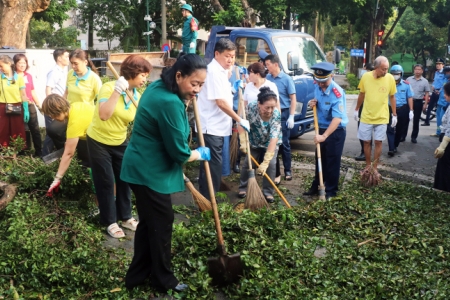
[[331, 104]]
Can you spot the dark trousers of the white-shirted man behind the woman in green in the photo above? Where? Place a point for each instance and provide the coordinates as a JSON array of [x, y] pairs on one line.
[[215, 145]]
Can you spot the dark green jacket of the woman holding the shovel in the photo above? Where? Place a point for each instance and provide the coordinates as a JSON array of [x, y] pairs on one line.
[[159, 143]]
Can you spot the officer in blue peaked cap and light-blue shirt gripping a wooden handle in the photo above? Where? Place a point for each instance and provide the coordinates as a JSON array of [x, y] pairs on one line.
[[329, 98]]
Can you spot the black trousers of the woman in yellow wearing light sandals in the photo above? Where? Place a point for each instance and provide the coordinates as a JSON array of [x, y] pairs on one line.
[[106, 162]]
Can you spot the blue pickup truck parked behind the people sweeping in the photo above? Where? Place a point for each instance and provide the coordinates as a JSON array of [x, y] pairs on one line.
[[297, 51]]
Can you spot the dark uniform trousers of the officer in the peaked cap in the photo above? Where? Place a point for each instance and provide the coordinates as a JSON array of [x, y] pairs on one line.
[[331, 153]]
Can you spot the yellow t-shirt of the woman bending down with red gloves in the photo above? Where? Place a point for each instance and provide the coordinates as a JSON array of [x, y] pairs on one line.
[[80, 117]]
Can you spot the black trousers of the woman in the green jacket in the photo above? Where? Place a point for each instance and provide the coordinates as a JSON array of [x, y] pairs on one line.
[[152, 241]]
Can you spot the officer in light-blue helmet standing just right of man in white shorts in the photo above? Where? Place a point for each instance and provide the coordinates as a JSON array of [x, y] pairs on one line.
[[404, 104]]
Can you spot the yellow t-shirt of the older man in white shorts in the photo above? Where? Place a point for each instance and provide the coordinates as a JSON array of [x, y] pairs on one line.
[[377, 92]]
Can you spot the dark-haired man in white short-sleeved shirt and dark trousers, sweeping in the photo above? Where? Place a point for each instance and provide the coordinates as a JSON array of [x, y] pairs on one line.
[[215, 104]]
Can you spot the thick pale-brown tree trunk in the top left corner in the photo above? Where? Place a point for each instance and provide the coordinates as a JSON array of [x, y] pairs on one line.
[[15, 15]]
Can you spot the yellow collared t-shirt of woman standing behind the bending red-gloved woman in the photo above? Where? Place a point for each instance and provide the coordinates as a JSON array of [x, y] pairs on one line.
[[83, 89]]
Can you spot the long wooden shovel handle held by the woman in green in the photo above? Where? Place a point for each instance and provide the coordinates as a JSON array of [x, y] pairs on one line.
[[220, 241]]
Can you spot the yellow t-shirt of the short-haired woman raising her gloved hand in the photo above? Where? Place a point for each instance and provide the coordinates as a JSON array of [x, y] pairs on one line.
[[113, 131]]
